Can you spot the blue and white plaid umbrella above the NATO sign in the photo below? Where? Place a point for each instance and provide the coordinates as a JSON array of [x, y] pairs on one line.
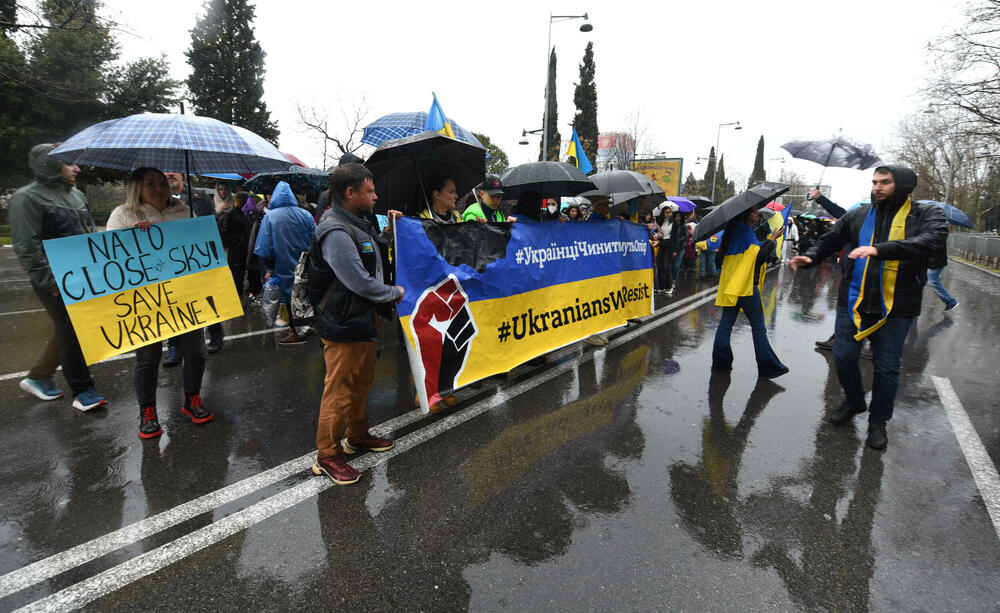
[[172, 143]]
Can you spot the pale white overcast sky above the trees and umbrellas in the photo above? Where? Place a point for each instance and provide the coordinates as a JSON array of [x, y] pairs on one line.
[[784, 69]]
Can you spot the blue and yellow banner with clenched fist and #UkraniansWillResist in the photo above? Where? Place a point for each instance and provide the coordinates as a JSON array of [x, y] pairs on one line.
[[483, 298]]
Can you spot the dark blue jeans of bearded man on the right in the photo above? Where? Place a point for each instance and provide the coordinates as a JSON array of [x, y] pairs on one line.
[[887, 349]]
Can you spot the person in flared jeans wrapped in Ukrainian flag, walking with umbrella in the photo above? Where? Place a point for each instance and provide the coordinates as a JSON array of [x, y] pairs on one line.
[[739, 289]]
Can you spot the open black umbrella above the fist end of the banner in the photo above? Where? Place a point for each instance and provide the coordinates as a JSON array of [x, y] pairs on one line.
[[402, 168]]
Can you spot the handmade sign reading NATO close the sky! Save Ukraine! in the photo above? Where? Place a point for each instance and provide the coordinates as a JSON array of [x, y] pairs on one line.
[[128, 288]]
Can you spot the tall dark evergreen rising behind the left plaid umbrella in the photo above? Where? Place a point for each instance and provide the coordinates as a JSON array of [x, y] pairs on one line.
[[227, 68]]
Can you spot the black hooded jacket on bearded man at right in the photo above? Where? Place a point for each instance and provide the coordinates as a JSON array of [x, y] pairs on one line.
[[926, 232]]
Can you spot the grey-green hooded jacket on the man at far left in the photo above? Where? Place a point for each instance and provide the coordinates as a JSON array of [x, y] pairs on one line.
[[46, 208]]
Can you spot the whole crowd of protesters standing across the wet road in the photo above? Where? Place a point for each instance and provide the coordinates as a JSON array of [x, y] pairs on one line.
[[264, 235]]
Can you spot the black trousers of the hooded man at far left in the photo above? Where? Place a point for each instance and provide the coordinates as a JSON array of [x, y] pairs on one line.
[[63, 348]]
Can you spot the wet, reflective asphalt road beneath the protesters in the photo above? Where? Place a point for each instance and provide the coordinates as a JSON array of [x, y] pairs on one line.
[[624, 477]]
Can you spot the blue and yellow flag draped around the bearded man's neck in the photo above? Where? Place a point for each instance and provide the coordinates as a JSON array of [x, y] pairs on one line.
[[885, 269]]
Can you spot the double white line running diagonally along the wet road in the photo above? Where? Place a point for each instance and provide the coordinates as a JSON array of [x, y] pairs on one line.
[[114, 578]]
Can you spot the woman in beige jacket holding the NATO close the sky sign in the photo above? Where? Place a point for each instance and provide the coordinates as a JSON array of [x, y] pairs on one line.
[[148, 201]]
